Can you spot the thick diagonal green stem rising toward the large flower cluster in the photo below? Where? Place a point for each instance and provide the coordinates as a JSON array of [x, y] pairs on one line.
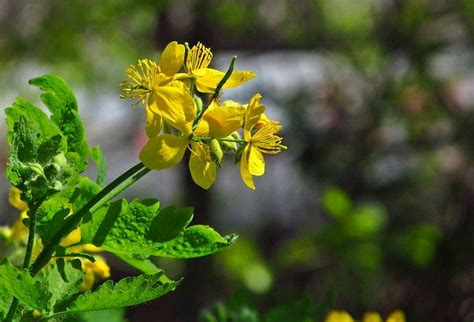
[[104, 196]]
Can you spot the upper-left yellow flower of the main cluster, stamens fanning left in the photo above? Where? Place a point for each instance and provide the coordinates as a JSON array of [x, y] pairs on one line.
[[154, 84]]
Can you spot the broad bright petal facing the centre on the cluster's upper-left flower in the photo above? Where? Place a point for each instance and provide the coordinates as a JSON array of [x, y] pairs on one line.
[[175, 104]]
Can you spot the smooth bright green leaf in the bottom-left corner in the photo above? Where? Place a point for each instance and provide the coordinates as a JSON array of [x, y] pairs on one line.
[[21, 285]]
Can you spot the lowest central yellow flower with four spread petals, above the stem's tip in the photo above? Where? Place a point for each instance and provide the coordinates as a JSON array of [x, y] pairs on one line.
[[167, 150]]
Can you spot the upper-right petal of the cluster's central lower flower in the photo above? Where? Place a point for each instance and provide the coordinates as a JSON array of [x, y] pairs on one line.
[[220, 121]]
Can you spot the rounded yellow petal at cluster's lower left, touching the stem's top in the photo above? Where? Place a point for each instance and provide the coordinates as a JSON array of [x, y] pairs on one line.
[[163, 151]]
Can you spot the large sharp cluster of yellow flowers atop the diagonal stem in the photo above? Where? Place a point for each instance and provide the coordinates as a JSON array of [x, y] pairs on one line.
[[173, 89]]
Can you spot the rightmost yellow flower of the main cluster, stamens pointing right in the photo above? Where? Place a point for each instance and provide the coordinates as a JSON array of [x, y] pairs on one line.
[[264, 140]]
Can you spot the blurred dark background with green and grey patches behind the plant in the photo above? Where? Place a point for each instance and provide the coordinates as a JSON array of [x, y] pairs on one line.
[[371, 207]]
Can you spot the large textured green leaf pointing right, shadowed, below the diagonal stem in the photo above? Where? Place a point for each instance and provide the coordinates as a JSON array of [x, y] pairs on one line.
[[133, 229]]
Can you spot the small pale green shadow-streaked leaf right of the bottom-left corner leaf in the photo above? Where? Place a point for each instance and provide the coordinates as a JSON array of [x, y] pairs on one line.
[[62, 279]]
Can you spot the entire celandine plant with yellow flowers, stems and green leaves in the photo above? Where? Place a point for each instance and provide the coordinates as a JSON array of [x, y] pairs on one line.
[[51, 252]]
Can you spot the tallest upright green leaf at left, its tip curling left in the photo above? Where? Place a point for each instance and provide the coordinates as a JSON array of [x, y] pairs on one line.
[[62, 103]]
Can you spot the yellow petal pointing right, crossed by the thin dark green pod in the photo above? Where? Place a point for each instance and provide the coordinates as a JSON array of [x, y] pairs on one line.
[[207, 79]]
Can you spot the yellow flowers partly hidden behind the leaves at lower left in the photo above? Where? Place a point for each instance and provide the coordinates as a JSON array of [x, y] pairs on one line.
[[93, 271]]
